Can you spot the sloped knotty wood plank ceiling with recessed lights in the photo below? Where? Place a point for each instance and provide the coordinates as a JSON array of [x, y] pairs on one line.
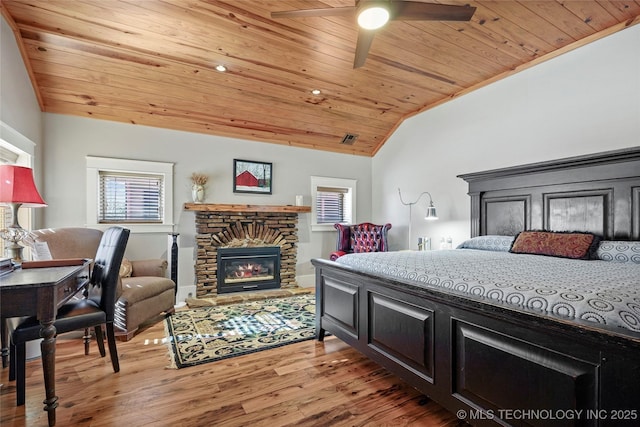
[[152, 62]]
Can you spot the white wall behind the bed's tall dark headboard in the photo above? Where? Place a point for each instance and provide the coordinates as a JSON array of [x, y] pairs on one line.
[[585, 101]]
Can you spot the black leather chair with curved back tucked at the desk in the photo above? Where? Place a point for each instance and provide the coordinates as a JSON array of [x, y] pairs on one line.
[[95, 310]]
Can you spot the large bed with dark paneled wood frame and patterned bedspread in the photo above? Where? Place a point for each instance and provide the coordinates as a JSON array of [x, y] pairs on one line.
[[504, 338]]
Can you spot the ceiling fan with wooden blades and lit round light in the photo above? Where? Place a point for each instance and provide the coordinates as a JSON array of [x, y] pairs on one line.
[[373, 14]]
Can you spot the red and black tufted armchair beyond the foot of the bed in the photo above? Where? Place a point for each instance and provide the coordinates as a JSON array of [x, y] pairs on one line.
[[363, 237]]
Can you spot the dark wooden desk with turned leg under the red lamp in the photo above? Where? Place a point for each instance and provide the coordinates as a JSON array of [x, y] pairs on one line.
[[40, 292]]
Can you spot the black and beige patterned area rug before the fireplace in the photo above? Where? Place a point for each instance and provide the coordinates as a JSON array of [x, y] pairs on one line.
[[206, 334]]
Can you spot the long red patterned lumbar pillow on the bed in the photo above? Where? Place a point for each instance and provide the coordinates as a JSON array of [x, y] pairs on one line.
[[575, 245]]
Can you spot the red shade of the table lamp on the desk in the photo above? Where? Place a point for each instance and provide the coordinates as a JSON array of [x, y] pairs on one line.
[[17, 186]]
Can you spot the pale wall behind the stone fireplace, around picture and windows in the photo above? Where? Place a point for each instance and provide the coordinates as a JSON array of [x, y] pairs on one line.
[[70, 139]]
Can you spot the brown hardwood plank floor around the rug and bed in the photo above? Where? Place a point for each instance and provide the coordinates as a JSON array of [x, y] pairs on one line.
[[303, 384]]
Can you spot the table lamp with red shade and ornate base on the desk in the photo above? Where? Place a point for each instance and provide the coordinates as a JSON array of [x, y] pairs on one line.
[[17, 188]]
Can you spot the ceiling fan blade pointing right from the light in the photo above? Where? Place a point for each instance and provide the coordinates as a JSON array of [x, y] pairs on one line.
[[413, 11]]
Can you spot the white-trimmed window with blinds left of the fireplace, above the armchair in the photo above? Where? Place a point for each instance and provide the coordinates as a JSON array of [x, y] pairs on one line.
[[132, 193]]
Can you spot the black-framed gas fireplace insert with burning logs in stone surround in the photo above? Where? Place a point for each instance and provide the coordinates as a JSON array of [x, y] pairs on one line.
[[248, 269]]
